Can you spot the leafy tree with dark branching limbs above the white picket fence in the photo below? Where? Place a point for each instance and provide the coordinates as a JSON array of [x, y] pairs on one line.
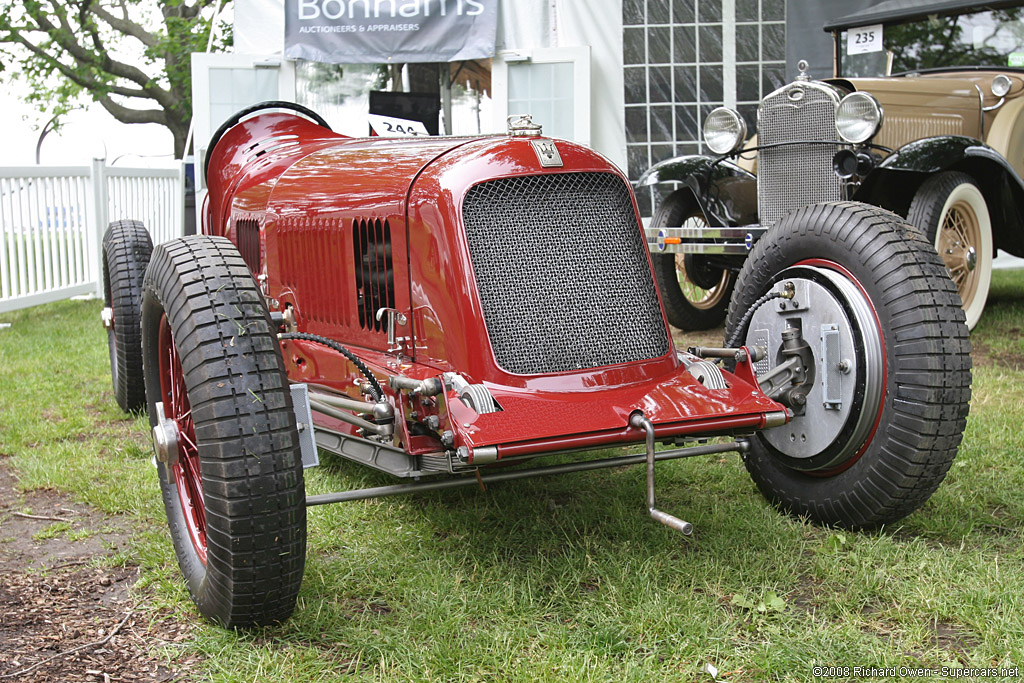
[[133, 57]]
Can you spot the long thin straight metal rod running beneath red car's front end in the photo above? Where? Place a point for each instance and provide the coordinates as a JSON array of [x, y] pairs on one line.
[[739, 446]]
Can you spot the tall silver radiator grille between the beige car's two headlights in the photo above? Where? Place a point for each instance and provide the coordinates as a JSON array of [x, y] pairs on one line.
[[794, 177]]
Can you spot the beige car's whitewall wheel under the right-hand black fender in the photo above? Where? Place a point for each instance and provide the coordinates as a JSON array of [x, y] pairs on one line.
[[952, 210]]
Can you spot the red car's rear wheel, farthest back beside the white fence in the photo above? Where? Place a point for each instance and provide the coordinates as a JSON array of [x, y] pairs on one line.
[[126, 253]]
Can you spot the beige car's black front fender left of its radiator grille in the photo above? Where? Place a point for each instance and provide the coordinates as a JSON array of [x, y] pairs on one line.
[[728, 194]]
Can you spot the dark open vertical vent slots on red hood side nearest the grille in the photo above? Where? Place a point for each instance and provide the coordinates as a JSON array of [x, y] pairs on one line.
[[374, 275]]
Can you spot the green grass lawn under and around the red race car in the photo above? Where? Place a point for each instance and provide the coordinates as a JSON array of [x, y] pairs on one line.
[[566, 579]]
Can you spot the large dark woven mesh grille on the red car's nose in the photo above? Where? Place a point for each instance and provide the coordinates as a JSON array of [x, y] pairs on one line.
[[563, 273]]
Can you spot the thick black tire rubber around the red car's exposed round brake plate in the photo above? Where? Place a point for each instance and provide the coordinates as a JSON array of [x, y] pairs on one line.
[[928, 356]]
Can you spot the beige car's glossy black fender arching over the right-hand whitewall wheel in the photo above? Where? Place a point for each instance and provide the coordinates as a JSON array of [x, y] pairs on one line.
[[897, 180]]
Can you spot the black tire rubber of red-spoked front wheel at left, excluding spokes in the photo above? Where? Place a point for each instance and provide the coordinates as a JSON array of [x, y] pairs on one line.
[[245, 426]]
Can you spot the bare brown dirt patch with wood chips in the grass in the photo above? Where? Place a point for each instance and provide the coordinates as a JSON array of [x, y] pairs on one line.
[[63, 618]]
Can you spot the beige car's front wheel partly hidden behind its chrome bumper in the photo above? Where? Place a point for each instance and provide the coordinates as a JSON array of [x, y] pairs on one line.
[[696, 294]]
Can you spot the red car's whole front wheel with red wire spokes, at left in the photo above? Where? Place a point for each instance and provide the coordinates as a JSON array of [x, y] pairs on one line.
[[235, 500]]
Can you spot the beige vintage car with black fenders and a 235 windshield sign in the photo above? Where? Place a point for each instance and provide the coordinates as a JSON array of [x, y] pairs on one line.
[[924, 117]]
